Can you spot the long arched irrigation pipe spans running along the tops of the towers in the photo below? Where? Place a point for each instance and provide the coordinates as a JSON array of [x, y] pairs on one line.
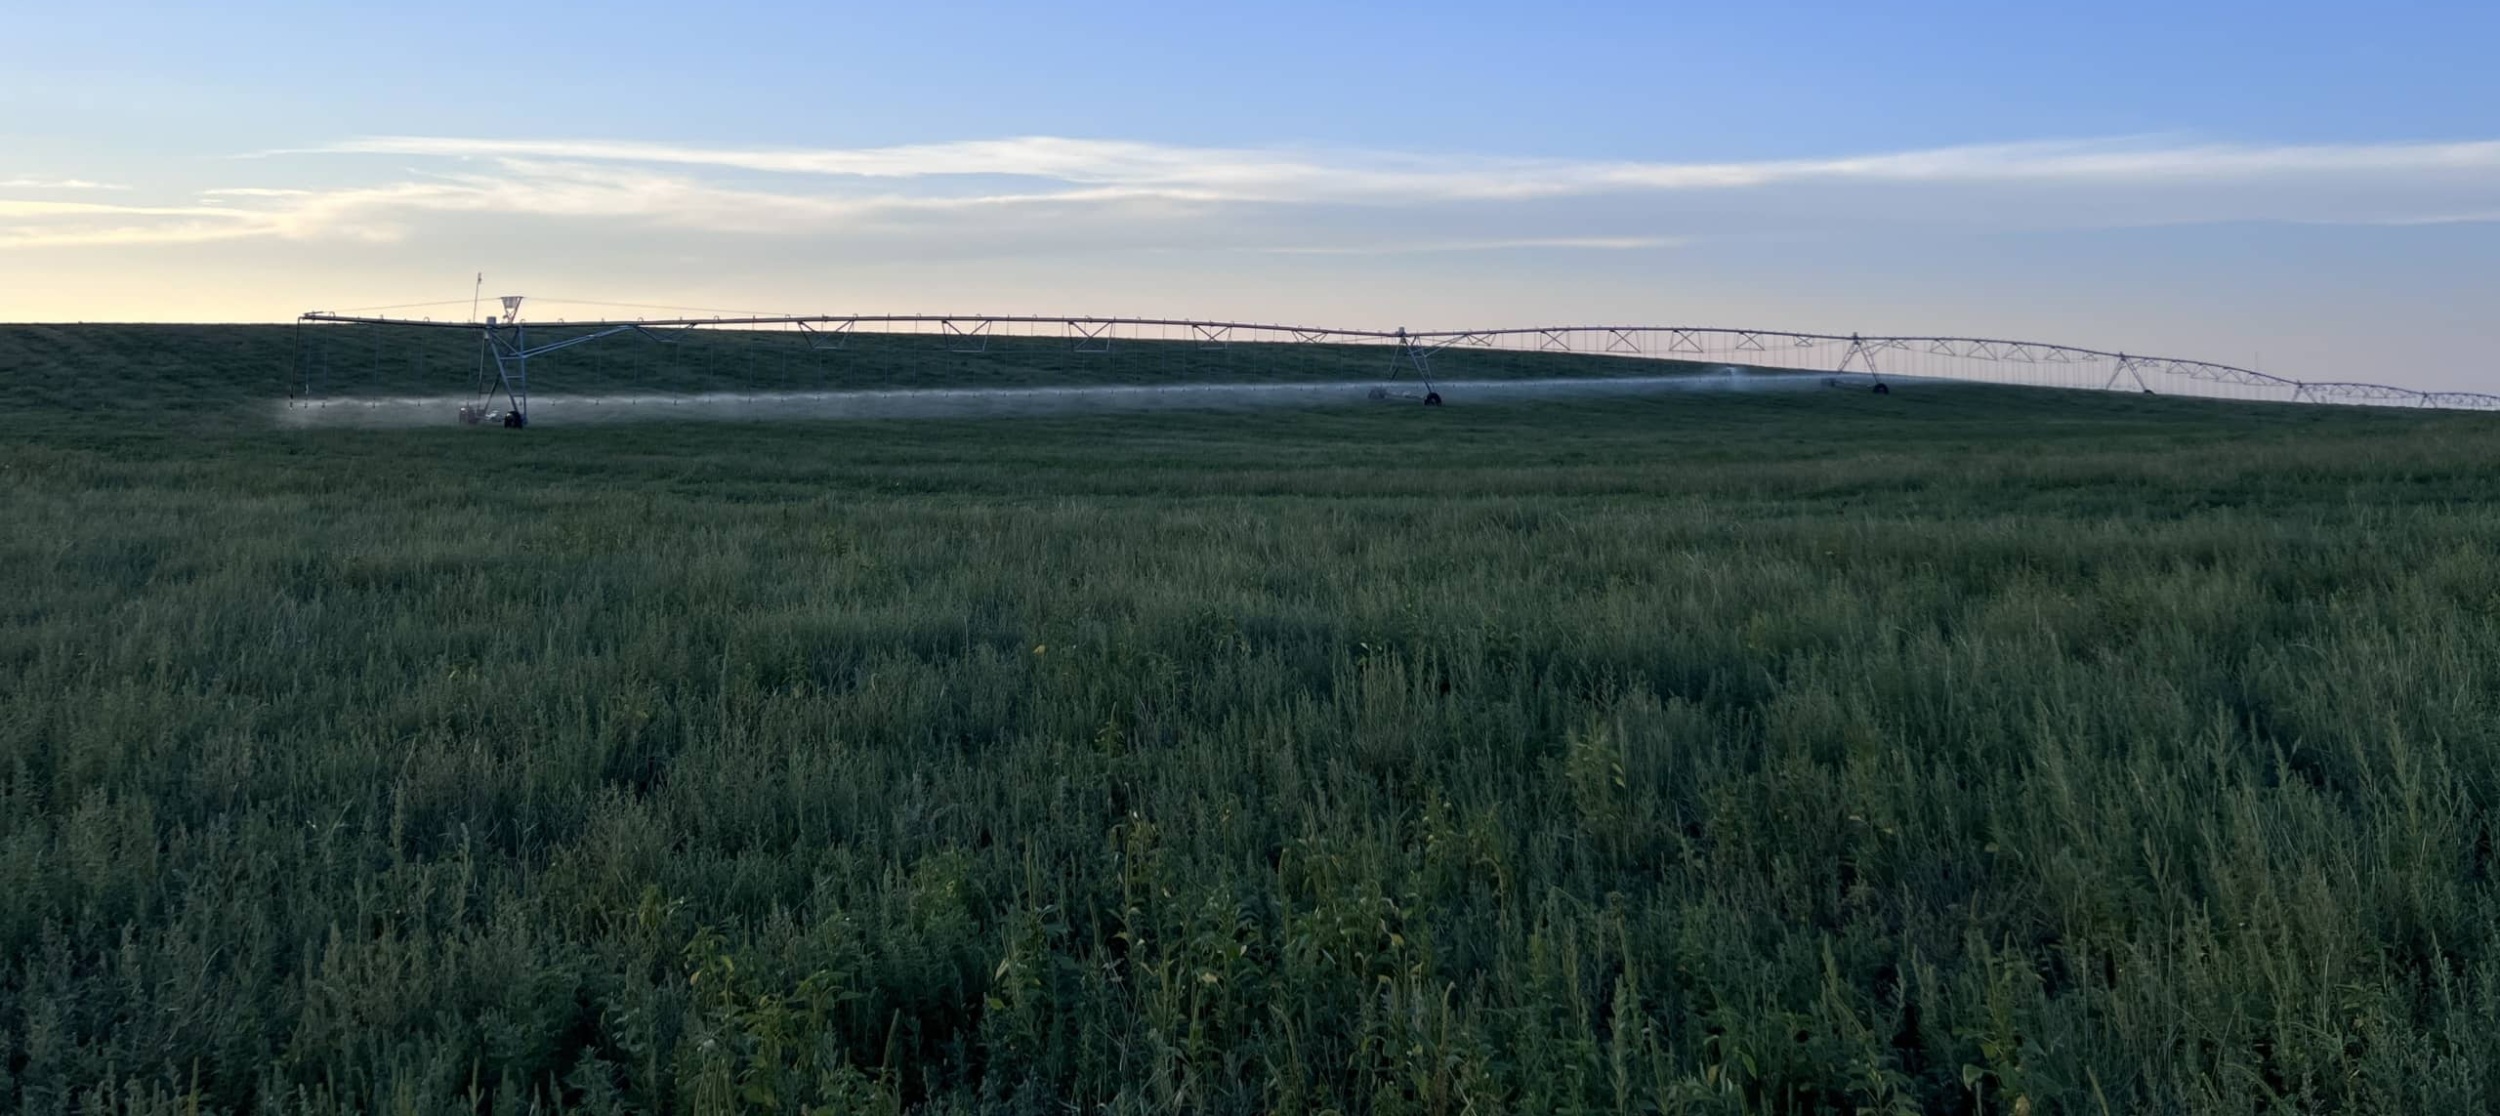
[[1846, 354]]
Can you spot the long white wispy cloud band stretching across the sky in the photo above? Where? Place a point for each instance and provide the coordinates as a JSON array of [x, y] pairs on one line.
[[1036, 194]]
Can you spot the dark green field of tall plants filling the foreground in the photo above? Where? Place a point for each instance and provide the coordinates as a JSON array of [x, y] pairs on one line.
[[1961, 749]]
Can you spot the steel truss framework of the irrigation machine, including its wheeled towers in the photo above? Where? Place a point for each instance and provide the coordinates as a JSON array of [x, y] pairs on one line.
[[1411, 357]]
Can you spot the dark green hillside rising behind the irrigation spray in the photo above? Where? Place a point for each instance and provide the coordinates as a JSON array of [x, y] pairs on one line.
[[219, 372]]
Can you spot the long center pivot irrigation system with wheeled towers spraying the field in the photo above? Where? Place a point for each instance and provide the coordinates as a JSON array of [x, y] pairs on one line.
[[331, 354]]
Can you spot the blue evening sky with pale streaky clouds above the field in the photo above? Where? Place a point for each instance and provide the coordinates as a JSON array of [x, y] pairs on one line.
[[2296, 186]]
